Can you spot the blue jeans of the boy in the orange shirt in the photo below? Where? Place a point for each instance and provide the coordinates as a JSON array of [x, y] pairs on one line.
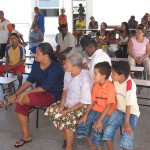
[[84, 130]]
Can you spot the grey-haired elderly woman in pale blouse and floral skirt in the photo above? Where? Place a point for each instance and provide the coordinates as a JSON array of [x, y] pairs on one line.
[[76, 95]]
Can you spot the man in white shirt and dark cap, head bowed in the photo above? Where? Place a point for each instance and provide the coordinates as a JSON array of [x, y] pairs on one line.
[[96, 55]]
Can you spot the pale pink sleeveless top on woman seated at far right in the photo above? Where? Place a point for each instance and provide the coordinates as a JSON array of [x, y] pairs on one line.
[[139, 49]]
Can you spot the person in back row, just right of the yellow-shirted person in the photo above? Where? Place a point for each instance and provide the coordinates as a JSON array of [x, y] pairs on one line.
[[93, 25]]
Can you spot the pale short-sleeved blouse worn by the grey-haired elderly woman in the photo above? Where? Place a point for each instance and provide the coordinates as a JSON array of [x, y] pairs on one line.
[[78, 88]]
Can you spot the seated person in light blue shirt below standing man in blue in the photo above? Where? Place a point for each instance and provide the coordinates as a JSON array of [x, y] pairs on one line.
[[35, 38]]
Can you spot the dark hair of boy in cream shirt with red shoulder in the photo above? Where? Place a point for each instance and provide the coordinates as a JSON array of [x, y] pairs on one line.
[[121, 67]]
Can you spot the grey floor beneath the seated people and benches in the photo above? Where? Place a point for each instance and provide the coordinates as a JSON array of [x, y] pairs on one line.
[[47, 137]]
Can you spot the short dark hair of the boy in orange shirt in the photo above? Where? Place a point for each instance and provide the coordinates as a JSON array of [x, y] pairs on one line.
[[104, 68]]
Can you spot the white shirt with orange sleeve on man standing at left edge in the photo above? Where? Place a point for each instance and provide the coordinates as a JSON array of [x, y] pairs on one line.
[[5, 28]]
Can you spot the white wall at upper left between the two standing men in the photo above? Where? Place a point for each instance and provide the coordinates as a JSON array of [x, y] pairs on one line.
[[19, 12]]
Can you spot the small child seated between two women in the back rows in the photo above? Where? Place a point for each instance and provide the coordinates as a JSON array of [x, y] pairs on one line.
[[112, 45]]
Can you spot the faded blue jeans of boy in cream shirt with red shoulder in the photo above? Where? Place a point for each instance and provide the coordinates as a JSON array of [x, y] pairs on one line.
[[116, 120]]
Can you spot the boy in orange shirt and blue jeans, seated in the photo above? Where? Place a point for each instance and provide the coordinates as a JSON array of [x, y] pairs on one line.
[[99, 111]]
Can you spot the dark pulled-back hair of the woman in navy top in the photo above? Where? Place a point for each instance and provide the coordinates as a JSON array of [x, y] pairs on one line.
[[46, 48]]
